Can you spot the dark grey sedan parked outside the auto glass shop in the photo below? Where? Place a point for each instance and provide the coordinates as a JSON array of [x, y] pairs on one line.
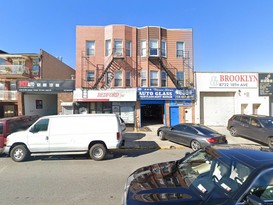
[[191, 135]]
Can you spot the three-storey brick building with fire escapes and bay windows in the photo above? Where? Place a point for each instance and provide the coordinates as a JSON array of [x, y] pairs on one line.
[[144, 74]]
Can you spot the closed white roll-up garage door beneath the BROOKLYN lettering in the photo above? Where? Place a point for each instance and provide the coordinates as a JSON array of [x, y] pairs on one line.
[[216, 108]]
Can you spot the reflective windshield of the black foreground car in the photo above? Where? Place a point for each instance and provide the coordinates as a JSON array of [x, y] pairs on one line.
[[206, 171]]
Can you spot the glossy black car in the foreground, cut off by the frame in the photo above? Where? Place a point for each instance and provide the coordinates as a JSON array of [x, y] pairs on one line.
[[221, 174]]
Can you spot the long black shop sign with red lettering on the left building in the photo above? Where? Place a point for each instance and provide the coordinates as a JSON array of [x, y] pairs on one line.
[[45, 86]]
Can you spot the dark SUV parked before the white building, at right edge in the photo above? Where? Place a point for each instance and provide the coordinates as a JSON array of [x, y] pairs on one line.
[[258, 128]]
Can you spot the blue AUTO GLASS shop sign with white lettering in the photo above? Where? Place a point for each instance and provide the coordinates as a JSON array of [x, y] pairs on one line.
[[165, 93]]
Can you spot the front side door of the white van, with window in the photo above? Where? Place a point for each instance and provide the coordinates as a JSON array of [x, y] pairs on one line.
[[38, 136]]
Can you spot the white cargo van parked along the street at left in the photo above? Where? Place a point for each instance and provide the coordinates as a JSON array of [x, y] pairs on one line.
[[67, 134]]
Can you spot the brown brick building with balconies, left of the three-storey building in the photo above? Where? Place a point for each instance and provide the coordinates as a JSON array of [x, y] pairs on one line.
[[29, 69]]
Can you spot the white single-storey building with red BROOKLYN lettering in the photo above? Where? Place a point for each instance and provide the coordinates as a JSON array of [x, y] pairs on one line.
[[221, 95]]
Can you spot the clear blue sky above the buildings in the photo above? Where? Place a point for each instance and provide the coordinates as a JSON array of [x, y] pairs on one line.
[[228, 35]]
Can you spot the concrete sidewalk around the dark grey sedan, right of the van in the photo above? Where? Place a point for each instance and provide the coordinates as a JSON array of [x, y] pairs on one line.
[[146, 138]]
